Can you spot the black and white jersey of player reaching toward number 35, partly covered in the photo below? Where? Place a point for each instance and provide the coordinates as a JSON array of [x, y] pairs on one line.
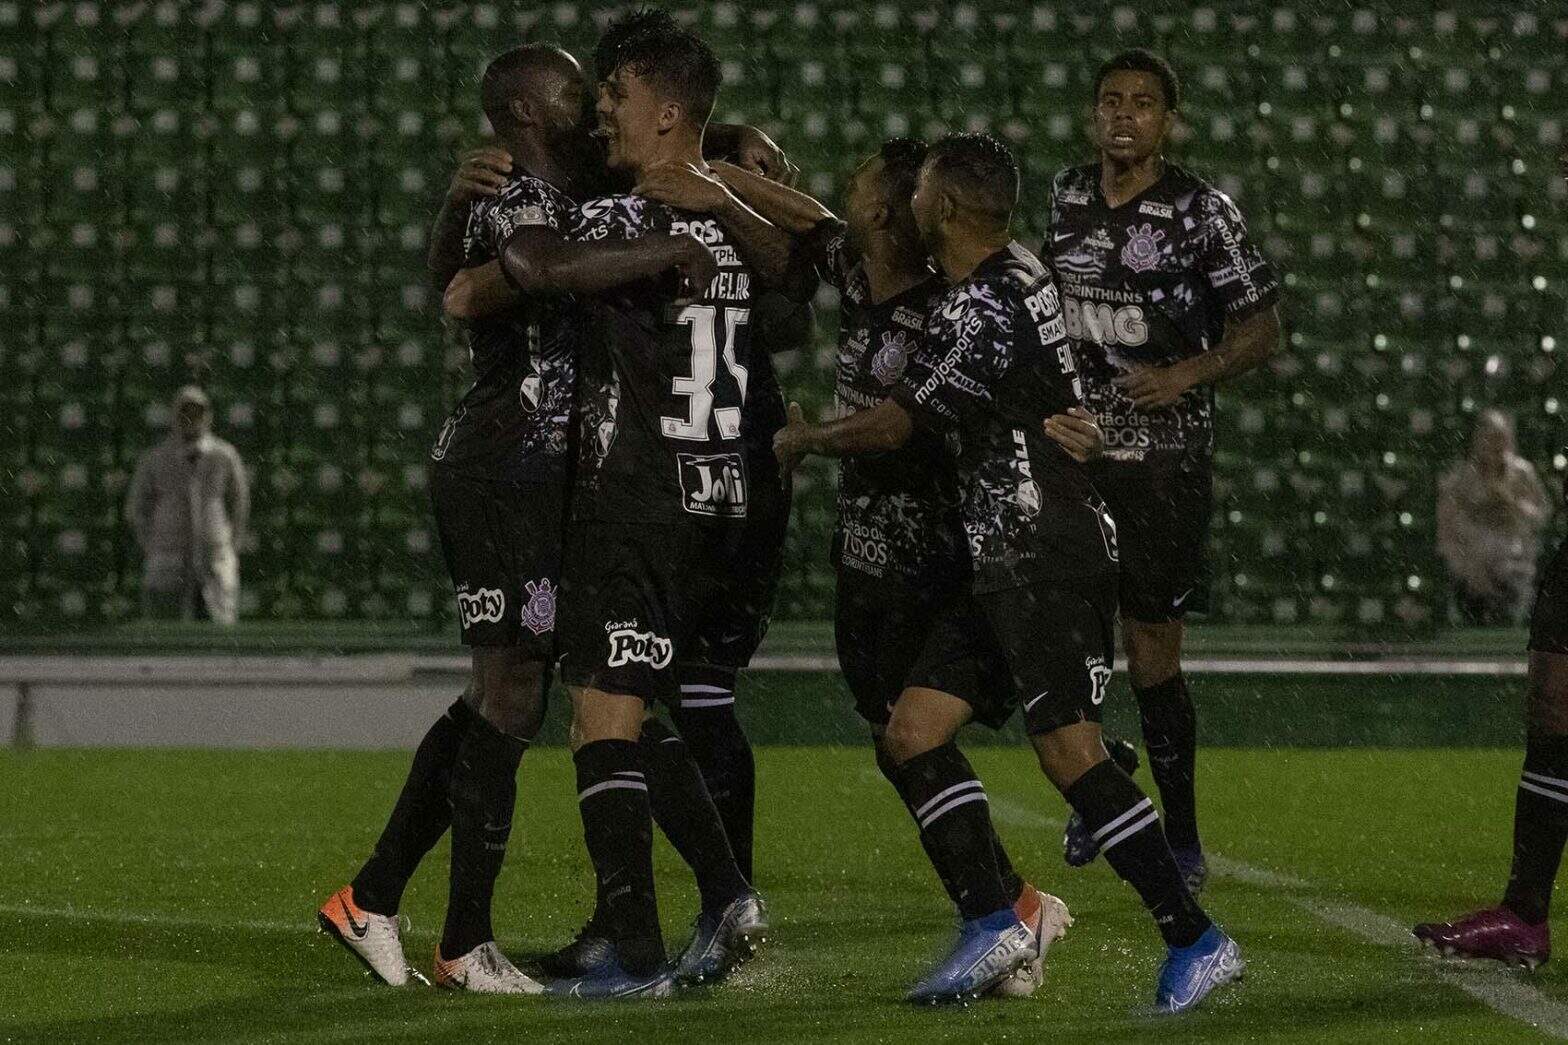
[[899, 509]]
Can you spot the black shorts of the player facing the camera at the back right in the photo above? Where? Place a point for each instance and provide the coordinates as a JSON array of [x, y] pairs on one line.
[[1163, 534]]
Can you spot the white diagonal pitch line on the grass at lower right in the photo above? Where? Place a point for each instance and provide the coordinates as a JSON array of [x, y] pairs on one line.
[[1497, 988]]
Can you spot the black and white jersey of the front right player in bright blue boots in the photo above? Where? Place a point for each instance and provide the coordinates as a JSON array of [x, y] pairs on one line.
[[993, 366]]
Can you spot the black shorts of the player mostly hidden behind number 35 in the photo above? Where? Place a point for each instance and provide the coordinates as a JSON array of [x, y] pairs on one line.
[[735, 625]]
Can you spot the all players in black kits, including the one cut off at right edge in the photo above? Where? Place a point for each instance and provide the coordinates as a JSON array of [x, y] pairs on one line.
[[1026, 446]]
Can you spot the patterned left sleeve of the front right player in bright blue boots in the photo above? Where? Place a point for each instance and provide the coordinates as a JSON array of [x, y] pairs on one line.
[[967, 351]]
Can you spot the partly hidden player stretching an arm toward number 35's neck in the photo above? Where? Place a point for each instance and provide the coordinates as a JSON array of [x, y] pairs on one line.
[[899, 544]]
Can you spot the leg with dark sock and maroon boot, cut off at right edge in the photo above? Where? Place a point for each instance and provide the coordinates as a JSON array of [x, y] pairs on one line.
[[1517, 931]]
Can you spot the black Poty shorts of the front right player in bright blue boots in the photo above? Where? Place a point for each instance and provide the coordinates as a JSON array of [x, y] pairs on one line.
[[1045, 649]]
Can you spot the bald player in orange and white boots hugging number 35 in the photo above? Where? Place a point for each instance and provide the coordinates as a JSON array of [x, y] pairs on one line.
[[499, 478]]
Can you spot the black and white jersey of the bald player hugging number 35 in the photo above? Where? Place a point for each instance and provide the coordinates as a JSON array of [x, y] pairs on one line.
[[514, 421]]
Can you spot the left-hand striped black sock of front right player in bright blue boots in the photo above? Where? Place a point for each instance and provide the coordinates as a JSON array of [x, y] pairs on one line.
[[949, 806]]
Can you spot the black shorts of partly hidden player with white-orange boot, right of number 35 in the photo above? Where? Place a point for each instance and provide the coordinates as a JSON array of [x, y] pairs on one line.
[[880, 628]]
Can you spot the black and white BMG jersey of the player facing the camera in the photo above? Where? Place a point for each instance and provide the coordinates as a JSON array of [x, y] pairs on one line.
[[1152, 283]]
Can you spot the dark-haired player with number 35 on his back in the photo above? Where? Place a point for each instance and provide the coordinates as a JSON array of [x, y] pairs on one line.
[[661, 493]]
